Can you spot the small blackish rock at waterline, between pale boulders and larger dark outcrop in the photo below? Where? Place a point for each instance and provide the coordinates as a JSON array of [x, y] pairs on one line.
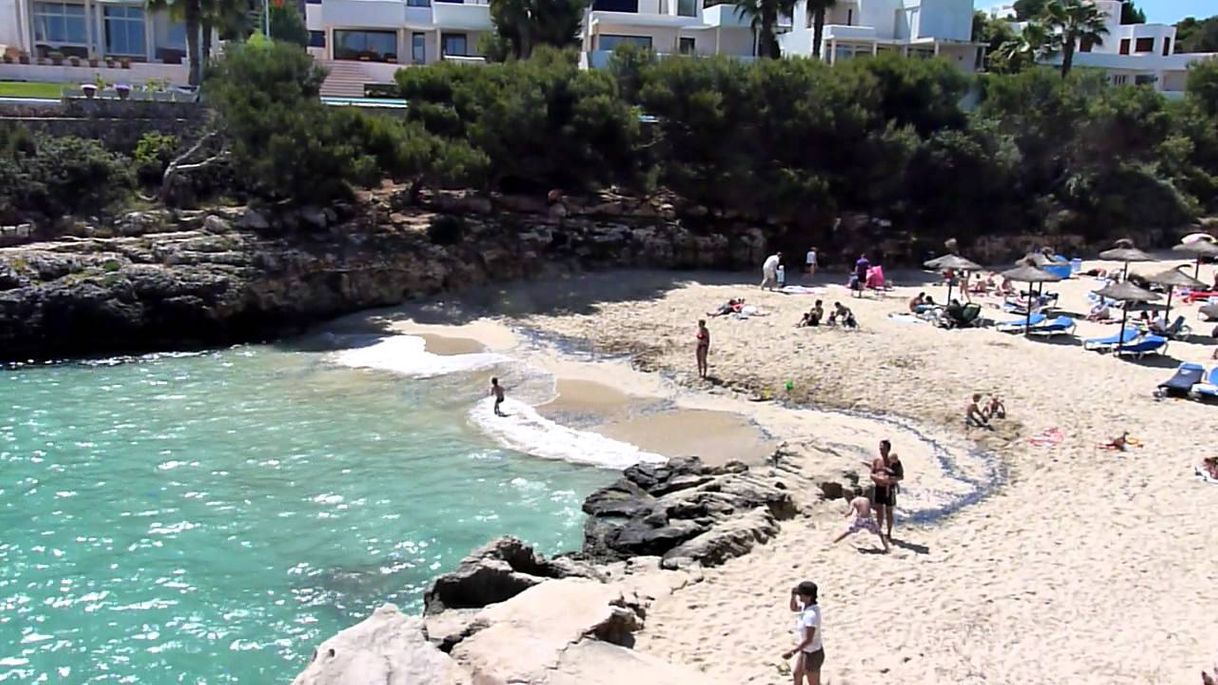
[[499, 572]]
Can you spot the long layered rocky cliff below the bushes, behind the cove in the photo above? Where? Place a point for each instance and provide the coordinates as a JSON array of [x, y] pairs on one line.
[[170, 281]]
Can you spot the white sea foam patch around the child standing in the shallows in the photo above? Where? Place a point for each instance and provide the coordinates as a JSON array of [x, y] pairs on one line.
[[528, 432]]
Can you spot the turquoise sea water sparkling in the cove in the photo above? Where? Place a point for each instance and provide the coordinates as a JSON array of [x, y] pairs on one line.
[[210, 519]]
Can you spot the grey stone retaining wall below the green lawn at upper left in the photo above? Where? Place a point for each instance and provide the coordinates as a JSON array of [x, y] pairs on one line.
[[118, 124]]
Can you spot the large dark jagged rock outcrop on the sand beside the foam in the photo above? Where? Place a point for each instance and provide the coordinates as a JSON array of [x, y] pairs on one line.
[[685, 513]]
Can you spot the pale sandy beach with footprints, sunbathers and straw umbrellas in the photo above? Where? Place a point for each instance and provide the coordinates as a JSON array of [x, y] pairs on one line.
[[1013, 563]]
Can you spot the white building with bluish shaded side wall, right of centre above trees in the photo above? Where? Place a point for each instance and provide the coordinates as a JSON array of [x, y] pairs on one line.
[[914, 29]]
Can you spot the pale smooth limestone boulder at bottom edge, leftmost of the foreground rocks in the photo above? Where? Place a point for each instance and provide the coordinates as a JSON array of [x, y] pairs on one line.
[[387, 649]]
